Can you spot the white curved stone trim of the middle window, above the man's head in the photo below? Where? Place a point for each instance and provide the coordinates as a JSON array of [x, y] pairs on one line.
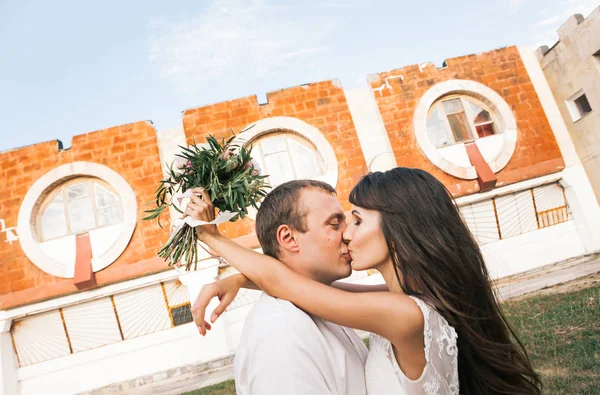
[[294, 125]]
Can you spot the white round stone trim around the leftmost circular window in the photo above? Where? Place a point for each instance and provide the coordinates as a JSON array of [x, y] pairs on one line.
[[28, 213]]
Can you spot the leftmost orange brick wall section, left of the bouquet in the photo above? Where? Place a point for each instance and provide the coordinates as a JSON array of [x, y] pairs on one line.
[[130, 150]]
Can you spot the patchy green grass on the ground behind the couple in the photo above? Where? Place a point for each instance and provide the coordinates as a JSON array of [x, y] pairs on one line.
[[561, 332]]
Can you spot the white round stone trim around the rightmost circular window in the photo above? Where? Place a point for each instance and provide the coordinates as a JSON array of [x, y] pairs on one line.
[[502, 111]]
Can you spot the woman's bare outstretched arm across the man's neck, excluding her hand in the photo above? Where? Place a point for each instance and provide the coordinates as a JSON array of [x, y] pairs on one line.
[[378, 312]]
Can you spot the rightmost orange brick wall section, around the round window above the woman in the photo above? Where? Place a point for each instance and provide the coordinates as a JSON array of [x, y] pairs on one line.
[[537, 151]]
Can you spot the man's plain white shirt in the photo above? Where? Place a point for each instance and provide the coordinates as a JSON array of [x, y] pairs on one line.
[[284, 350]]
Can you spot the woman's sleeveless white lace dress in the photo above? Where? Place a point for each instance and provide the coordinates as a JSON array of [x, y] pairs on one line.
[[440, 376]]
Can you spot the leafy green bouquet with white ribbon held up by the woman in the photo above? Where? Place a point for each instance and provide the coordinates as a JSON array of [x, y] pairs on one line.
[[230, 176]]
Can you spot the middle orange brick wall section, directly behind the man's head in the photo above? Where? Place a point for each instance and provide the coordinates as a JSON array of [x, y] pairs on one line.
[[322, 105]]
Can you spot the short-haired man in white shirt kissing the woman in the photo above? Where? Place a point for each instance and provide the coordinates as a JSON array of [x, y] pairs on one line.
[[282, 349]]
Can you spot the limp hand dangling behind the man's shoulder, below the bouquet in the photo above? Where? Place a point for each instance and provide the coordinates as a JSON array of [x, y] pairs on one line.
[[226, 290]]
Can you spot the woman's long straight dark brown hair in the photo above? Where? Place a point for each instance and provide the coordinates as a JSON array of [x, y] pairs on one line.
[[437, 259]]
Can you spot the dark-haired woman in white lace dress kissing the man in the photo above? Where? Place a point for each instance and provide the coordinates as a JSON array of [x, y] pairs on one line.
[[439, 328]]
